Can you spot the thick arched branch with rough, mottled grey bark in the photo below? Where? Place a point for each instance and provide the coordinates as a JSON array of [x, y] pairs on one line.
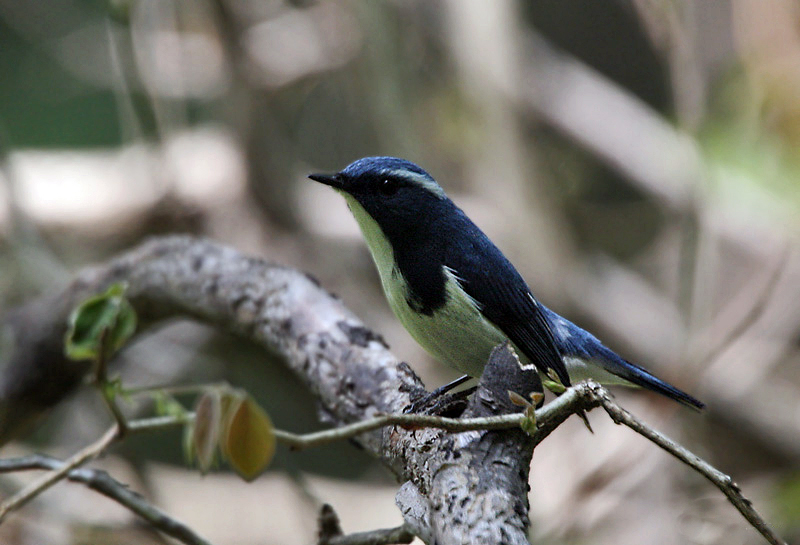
[[459, 488]]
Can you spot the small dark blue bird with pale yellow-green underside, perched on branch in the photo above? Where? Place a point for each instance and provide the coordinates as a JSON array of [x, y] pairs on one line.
[[456, 293]]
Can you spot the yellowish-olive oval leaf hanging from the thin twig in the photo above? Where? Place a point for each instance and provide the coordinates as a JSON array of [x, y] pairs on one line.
[[248, 438]]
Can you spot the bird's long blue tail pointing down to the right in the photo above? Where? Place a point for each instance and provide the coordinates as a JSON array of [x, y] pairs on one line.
[[577, 343]]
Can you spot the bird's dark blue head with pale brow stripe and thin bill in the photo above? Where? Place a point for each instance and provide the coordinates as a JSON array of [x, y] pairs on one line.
[[394, 192]]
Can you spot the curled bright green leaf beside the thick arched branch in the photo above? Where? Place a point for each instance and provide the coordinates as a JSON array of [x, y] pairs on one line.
[[100, 325]]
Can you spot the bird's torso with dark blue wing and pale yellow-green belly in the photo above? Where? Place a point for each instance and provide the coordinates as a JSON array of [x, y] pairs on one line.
[[465, 297]]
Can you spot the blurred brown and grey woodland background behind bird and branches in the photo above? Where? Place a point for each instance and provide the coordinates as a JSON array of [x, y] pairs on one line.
[[637, 160]]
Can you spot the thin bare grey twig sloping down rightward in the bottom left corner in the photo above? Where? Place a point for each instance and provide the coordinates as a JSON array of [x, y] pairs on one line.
[[102, 482]]
